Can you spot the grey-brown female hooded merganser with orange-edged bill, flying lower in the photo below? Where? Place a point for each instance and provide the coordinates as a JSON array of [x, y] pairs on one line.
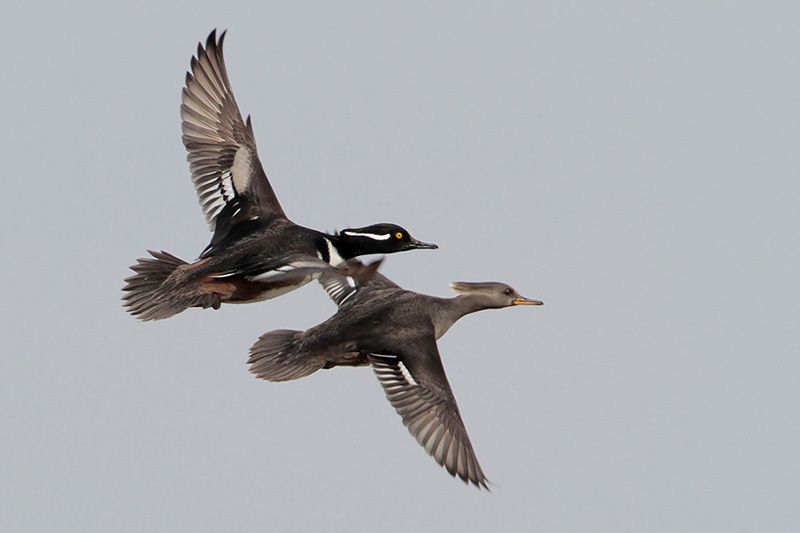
[[394, 331]]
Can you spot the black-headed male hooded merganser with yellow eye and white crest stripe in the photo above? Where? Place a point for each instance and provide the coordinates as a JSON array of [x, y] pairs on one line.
[[253, 239]]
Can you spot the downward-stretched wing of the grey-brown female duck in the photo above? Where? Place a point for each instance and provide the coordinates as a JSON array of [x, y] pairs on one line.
[[417, 387]]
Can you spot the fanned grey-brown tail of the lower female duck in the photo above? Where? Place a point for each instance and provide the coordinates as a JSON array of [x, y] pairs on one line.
[[278, 356]]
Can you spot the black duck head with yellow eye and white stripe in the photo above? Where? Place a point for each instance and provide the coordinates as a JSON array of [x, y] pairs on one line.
[[379, 239]]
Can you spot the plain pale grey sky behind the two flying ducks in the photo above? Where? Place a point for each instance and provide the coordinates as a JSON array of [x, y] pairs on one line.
[[633, 164]]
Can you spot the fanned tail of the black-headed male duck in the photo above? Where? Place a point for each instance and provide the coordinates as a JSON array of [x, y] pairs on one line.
[[146, 296]]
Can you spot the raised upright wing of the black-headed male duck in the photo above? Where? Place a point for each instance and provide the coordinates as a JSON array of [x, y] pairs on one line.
[[226, 171]]
